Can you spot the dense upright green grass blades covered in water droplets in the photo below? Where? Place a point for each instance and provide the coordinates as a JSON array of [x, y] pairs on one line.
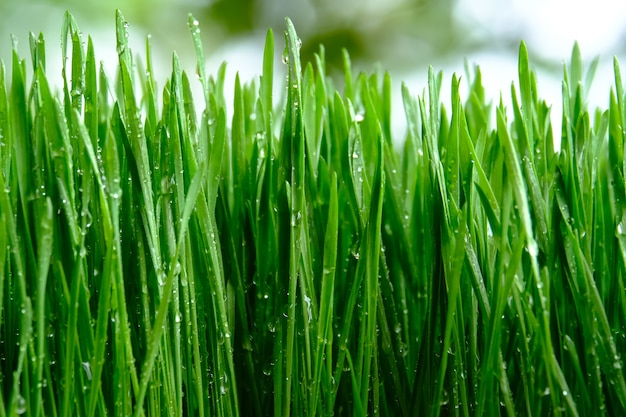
[[297, 258]]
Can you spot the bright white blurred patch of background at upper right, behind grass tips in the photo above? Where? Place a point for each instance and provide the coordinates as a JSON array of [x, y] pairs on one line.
[[550, 28]]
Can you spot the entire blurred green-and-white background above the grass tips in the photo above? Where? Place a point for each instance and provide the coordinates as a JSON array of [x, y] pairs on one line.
[[402, 36]]
